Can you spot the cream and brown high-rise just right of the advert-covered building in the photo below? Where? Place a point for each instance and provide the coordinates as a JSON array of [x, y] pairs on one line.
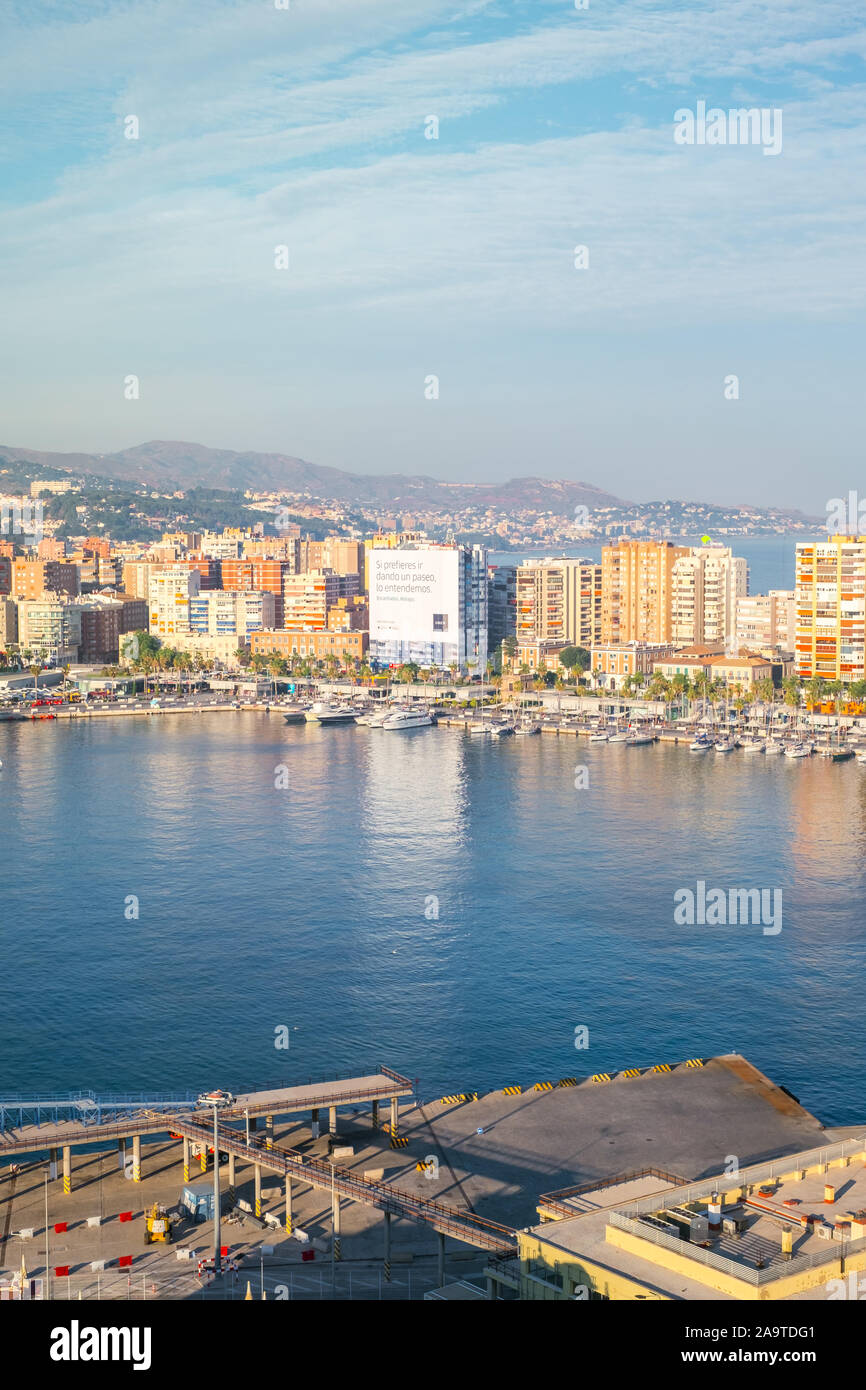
[[559, 601]]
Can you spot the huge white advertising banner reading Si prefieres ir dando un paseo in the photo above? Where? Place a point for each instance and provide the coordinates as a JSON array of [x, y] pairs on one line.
[[415, 596]]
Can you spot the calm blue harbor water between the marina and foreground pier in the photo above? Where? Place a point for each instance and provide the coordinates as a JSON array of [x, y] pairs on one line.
[[313, 907]]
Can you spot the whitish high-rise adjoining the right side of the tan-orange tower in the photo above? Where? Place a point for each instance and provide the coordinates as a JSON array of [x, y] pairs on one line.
[[707, 584]]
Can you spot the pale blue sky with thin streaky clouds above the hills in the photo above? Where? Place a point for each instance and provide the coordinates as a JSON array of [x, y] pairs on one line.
[[451, 258]]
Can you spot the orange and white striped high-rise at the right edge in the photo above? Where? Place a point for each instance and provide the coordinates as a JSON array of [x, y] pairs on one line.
[[832, 608]]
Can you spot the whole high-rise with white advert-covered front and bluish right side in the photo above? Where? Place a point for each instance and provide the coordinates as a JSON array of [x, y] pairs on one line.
[[429, 605]]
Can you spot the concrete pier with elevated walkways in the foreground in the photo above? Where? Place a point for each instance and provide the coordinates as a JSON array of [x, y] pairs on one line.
[[393, 1184]]
